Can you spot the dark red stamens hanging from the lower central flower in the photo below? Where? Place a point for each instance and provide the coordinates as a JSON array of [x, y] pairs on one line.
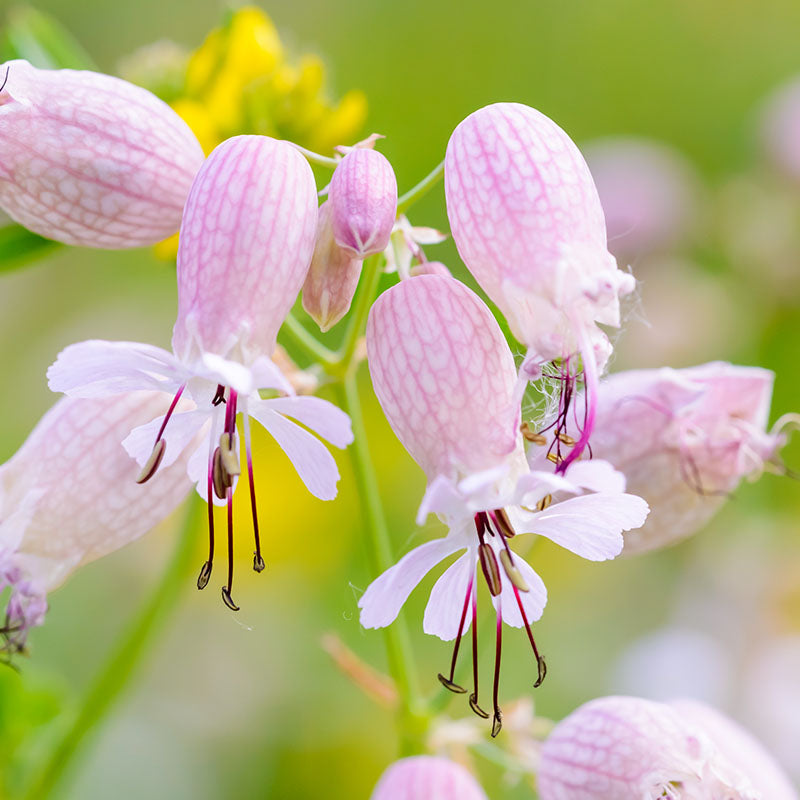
[[495, 524]]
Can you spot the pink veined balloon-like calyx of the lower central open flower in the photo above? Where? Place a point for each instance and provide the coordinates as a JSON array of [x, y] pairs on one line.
[[444, 375]]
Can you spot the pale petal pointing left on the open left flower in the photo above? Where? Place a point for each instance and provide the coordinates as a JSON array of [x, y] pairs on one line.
[[97, 368]]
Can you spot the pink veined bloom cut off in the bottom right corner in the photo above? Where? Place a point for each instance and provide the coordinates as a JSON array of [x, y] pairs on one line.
[[629, 747]]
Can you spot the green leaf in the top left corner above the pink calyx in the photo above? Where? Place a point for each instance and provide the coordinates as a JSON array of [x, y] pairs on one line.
[[40, 39]]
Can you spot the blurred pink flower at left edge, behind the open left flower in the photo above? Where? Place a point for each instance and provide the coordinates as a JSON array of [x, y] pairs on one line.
[[68, 497]]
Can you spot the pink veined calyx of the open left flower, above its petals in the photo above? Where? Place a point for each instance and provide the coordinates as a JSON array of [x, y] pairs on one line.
[[246, 242]]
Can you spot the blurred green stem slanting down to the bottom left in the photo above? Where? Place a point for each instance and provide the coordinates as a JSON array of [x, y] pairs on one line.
[[120, 667]]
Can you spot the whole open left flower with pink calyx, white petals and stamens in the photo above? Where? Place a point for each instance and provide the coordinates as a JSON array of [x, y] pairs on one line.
[[245, 246]]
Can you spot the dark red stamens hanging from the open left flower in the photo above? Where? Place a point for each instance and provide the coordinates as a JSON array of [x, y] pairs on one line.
[[223, 469]]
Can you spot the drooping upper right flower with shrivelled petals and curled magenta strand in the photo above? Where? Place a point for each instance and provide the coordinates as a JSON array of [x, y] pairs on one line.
[[528, 224]]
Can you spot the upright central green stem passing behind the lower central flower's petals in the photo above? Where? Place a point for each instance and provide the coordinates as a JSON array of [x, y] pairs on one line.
[[413, 717]]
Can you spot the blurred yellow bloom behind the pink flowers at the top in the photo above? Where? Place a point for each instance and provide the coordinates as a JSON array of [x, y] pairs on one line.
[[240, 81]]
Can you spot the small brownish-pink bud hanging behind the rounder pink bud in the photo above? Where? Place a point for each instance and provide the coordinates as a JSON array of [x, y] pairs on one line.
[[332, 278]]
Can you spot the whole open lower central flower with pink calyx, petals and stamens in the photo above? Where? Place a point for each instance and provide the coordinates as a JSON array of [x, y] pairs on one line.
[[446, 381]]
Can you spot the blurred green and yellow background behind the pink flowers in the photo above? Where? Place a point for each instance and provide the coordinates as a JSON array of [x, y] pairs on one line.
[[251, 705]]
